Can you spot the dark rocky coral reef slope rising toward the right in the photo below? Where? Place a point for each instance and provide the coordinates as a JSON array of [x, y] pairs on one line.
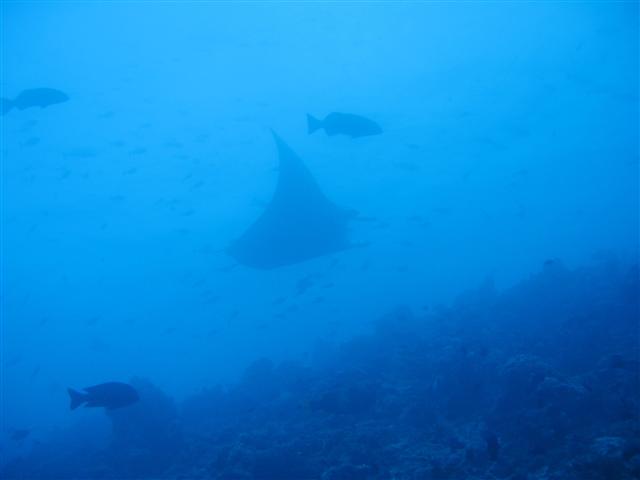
[[539, 382]]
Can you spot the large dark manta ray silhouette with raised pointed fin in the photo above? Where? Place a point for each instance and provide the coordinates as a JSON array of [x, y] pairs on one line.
[[298, 224]]
